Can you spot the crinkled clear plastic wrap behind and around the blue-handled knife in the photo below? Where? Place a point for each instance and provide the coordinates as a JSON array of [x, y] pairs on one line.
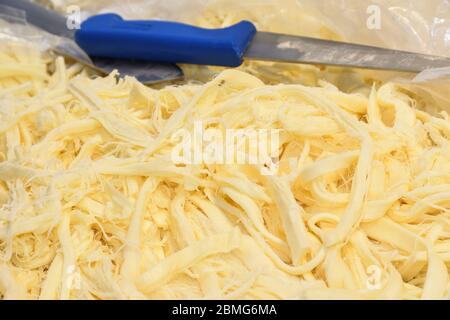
[[420, 26]]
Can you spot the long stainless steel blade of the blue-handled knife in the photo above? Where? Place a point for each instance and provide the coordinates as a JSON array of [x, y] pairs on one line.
[[286, 48]]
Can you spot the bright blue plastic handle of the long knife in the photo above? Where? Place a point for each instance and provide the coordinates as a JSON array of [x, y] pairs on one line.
[[108, 35]]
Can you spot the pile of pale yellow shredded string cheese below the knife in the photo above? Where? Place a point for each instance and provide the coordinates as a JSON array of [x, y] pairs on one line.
[[92, 207]]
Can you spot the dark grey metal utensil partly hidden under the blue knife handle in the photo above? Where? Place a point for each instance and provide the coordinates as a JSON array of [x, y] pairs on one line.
[[145, 71]]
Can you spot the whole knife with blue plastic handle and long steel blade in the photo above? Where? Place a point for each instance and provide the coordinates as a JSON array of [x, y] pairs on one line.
[[108, 35]]
